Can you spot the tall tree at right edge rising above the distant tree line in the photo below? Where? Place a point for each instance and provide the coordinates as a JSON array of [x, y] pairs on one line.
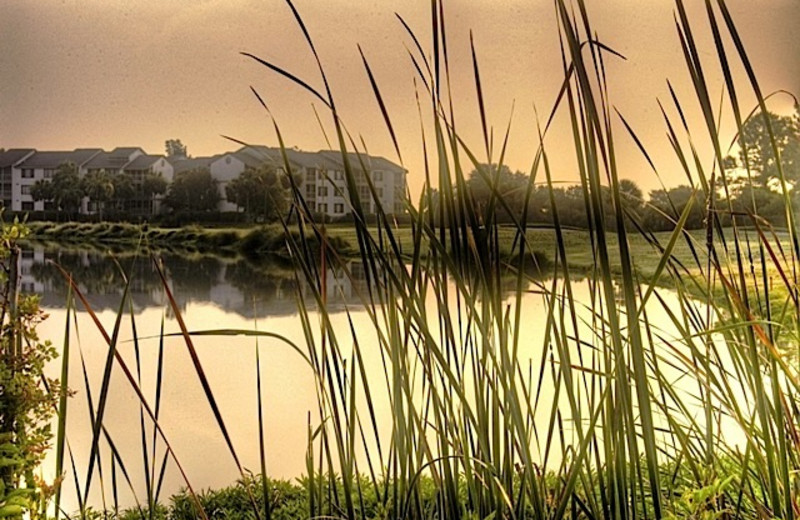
[[756, 151]]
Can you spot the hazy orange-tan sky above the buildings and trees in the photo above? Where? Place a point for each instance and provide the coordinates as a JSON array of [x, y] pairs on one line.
[[106, 73]]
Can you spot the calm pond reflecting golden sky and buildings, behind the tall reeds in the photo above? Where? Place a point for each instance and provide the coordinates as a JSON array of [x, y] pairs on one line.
[[214, 294]]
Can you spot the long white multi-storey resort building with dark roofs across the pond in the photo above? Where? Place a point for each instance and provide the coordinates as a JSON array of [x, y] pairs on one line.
[[321, 175]]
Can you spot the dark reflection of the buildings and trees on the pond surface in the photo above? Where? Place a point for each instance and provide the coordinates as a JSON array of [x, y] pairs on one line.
[[248, 287]]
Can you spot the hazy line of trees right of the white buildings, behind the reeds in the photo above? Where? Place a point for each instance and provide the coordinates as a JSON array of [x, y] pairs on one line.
[[751, 186]]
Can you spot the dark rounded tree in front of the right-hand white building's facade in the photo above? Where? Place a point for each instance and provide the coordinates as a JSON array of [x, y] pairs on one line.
[[260, 192]]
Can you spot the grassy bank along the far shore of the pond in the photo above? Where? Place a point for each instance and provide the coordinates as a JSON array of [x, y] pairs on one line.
[[261, 241]]
